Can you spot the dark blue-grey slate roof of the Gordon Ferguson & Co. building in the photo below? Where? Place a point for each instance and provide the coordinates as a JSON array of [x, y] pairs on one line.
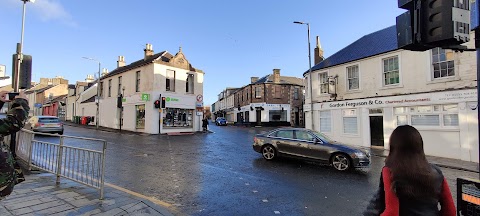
[[376, 43]]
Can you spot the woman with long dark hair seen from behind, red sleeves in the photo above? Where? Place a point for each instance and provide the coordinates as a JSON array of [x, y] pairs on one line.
[[409, 185]]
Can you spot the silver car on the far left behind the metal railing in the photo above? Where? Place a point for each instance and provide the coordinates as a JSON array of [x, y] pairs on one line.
[[45, 124]]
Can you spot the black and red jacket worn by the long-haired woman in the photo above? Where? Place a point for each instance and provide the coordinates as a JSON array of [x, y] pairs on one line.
[[409, 206]]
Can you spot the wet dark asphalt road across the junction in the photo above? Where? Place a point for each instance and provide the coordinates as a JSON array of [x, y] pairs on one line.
[[220, 174]]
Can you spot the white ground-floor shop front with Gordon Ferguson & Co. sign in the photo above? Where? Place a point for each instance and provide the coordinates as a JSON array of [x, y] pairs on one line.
[[446, 120]]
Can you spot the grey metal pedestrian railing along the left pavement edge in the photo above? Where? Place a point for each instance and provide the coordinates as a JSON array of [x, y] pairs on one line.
[[66, 156]]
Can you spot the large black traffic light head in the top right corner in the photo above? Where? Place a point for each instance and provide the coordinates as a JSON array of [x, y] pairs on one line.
[[433, 23]]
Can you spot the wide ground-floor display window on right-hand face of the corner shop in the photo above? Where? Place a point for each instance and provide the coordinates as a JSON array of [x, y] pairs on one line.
[[178, 118]]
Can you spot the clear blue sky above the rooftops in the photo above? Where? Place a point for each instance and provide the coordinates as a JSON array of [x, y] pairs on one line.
[[230, 40]]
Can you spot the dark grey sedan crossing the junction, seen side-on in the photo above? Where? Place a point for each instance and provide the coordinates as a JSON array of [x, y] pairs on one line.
[[310, 145]]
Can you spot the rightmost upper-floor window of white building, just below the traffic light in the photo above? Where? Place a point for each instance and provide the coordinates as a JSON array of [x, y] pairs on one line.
[[443, 63]]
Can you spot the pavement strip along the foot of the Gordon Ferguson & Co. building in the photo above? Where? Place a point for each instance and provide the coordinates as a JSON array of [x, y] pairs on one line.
[[439, 161]]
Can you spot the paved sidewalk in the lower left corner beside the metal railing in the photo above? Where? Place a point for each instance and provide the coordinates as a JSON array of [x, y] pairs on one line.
[[39, 195]]
